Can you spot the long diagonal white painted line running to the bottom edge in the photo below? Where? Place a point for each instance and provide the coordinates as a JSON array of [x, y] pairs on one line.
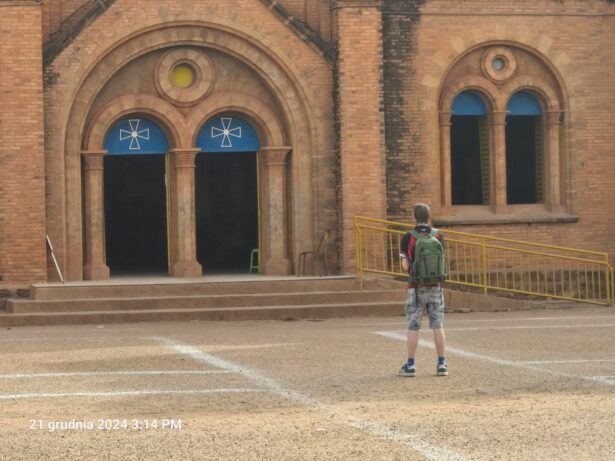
[[414, 441]]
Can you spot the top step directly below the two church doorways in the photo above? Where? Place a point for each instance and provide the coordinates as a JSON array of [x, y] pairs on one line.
[[194, 287]]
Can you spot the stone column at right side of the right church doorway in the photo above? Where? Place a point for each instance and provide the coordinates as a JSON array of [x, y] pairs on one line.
[[274, 254]]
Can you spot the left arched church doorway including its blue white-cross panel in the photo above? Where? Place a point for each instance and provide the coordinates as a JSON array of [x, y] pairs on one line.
[[135, 197]]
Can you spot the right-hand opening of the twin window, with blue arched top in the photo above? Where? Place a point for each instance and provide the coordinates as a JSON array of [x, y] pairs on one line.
[[524, 149]]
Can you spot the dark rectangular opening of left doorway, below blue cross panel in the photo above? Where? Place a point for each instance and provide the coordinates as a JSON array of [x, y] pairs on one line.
[[136, 214]]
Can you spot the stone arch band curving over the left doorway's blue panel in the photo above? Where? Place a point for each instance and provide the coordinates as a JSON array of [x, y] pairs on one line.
[[170, 119]]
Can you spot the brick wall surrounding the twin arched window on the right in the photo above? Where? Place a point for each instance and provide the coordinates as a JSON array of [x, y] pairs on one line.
[[423, 42]]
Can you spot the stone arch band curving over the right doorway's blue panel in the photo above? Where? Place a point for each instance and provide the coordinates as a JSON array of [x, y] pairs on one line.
[[263, 119]]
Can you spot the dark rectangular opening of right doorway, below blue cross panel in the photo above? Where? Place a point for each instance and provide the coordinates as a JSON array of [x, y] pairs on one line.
[[226, 210]]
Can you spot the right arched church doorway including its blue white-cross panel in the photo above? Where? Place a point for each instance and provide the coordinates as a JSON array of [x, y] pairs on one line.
[[227, 194]]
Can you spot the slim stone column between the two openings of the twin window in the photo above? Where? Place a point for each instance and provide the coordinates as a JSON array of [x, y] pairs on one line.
[[498, 162]]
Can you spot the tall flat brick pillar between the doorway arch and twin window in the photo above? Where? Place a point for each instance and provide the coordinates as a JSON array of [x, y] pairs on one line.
[[358, 28]]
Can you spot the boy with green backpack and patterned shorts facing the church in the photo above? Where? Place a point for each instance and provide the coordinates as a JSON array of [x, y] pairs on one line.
[[427, 270]]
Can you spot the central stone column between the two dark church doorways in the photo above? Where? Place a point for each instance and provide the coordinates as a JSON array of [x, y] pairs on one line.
[[182, 225]]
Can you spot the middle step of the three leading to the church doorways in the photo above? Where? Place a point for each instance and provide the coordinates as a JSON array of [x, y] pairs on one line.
[[24, 306]]
